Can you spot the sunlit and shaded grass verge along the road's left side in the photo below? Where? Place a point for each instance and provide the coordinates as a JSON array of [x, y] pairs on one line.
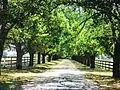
[[11, 79]]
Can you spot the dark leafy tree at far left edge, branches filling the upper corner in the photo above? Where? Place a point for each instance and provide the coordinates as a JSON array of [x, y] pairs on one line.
[[13, 13]]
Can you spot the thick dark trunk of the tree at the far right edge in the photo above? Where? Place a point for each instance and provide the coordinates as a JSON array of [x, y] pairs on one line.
[[116, 60]]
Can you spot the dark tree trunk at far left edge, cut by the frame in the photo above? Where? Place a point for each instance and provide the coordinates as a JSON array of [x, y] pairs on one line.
[[3, 23]]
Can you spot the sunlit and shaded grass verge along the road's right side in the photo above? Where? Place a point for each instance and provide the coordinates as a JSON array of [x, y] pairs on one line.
[[101, 76]]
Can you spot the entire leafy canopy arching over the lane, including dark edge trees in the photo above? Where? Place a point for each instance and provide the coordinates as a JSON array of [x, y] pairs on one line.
[[62, 27]]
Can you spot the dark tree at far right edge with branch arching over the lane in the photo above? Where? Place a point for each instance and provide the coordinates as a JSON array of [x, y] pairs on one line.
[[107, 10]]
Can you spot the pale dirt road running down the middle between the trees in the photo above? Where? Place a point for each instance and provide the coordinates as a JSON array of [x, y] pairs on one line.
[[64, 76]]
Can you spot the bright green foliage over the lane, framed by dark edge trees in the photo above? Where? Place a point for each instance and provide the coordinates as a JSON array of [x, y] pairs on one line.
[[51, 27]]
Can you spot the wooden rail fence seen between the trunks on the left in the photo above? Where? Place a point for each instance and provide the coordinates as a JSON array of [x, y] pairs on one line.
[[10, 62]]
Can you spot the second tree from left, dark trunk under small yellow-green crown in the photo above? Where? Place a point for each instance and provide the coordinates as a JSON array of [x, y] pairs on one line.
[[17, 37]]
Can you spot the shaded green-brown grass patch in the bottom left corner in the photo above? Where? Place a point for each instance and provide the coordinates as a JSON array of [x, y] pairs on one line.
[[8, 82]]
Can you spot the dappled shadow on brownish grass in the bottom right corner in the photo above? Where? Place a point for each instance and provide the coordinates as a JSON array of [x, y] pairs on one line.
[[106, 82]]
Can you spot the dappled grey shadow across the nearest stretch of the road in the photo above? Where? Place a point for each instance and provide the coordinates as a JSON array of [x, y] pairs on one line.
[[63, 82]]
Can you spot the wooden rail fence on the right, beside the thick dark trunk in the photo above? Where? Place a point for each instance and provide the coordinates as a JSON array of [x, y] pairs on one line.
[[108, 65]]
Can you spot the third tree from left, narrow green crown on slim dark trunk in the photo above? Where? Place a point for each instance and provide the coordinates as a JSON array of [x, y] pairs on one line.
[[33, 29]]
